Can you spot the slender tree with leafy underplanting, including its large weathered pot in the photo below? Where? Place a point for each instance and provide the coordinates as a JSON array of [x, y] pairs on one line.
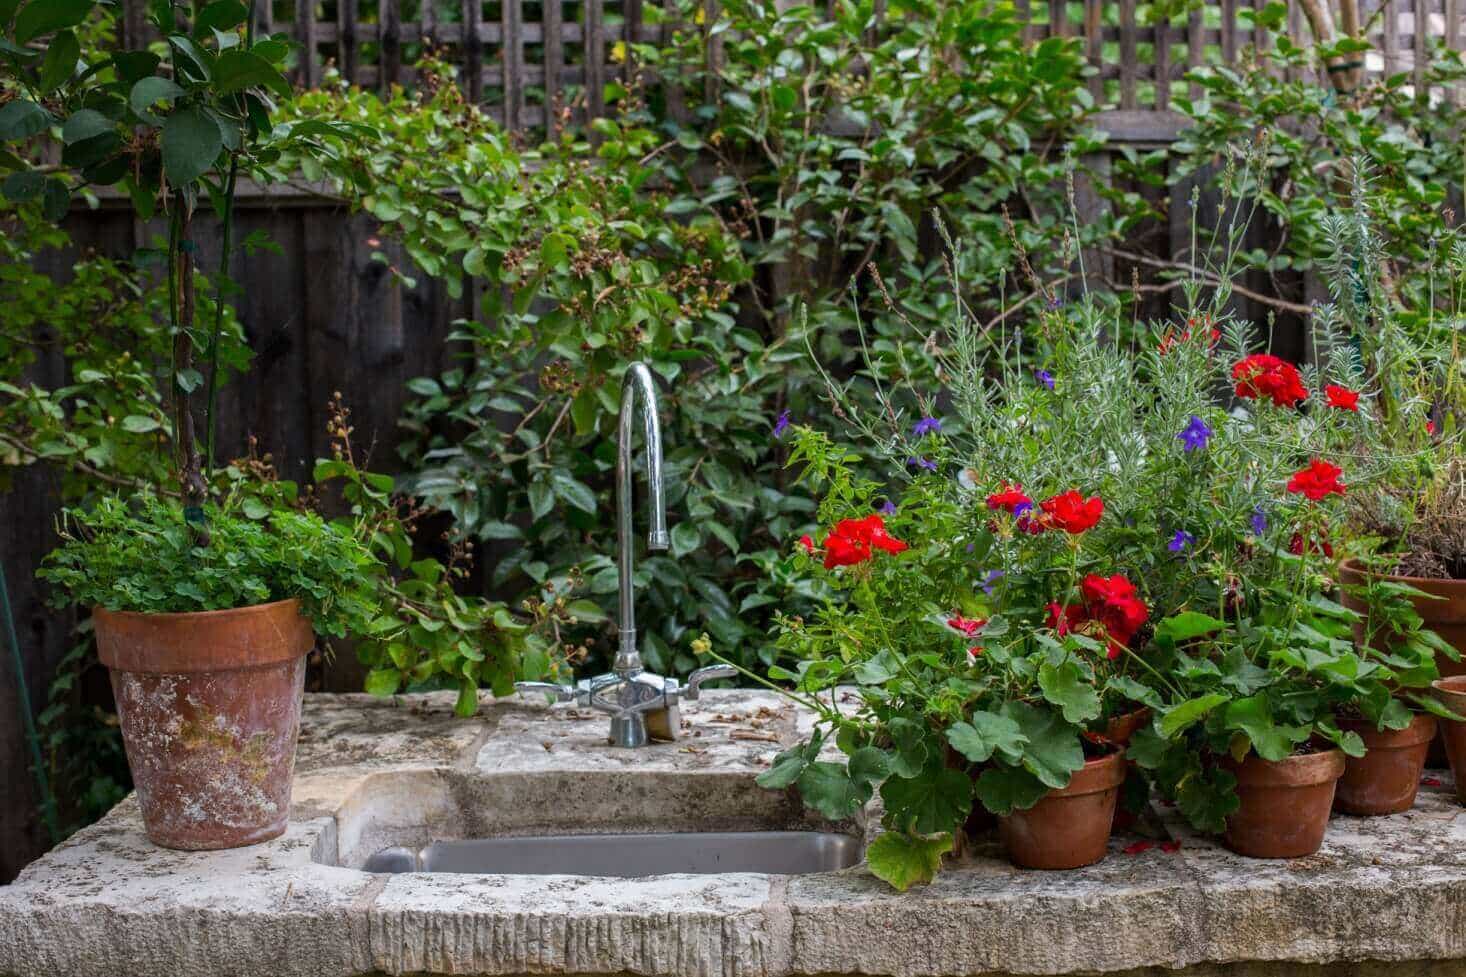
[[209, 589]]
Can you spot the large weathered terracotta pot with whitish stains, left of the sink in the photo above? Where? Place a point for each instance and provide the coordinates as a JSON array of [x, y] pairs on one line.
[[210, 711]]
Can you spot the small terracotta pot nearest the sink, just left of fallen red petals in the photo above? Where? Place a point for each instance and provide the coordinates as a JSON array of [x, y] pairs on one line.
[[1068, 828]]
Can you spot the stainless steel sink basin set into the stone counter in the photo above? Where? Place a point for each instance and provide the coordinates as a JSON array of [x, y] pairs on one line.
[[631, 856]]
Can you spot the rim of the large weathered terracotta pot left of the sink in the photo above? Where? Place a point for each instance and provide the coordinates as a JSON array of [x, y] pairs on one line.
[[226, 640]]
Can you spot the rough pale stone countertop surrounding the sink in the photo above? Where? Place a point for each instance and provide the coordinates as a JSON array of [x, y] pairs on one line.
[[405, 771]]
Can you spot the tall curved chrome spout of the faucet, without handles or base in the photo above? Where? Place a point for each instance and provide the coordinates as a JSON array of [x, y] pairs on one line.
[[637, 385]]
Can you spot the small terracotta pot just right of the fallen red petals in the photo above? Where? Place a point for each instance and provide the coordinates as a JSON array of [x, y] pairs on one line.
[[1285, 805]]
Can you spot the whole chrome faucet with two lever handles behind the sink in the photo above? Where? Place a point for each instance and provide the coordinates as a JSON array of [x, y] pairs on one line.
[[643, 705]]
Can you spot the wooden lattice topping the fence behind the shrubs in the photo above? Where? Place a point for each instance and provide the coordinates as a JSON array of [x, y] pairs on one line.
[[537, 64]]
